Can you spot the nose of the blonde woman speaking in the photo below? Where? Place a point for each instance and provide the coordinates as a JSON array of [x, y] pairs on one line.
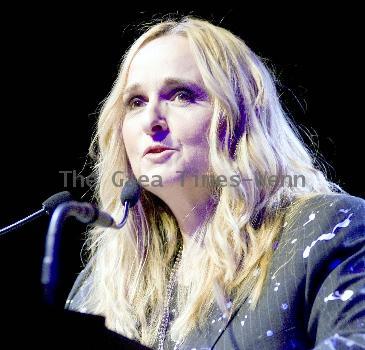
[[155, 123]]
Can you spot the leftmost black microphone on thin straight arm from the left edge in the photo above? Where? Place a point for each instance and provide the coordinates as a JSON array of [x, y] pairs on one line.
[[48, 207]]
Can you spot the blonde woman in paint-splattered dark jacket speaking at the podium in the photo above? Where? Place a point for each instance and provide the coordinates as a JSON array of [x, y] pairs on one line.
[[248, 259]]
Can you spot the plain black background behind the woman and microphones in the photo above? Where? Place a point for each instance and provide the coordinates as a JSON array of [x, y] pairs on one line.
[[59, 64]]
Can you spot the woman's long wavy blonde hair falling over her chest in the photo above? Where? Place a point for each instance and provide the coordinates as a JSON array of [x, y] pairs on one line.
[[250, 136]]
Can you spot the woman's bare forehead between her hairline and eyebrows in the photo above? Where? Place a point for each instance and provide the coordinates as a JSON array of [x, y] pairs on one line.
[[168, 56]]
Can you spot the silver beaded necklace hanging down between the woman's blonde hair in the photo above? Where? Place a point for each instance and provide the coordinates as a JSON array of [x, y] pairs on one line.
[[166, 314]]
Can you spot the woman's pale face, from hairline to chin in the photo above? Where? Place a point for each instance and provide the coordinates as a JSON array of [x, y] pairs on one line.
[[168, 113]]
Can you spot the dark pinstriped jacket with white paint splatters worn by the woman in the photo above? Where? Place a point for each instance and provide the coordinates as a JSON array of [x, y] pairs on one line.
[[314, 295]]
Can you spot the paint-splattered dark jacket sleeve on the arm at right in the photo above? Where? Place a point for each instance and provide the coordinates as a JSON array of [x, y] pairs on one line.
[[335, 278]]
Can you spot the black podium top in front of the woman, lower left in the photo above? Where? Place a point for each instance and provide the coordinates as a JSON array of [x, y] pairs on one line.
[[49, 328]]
